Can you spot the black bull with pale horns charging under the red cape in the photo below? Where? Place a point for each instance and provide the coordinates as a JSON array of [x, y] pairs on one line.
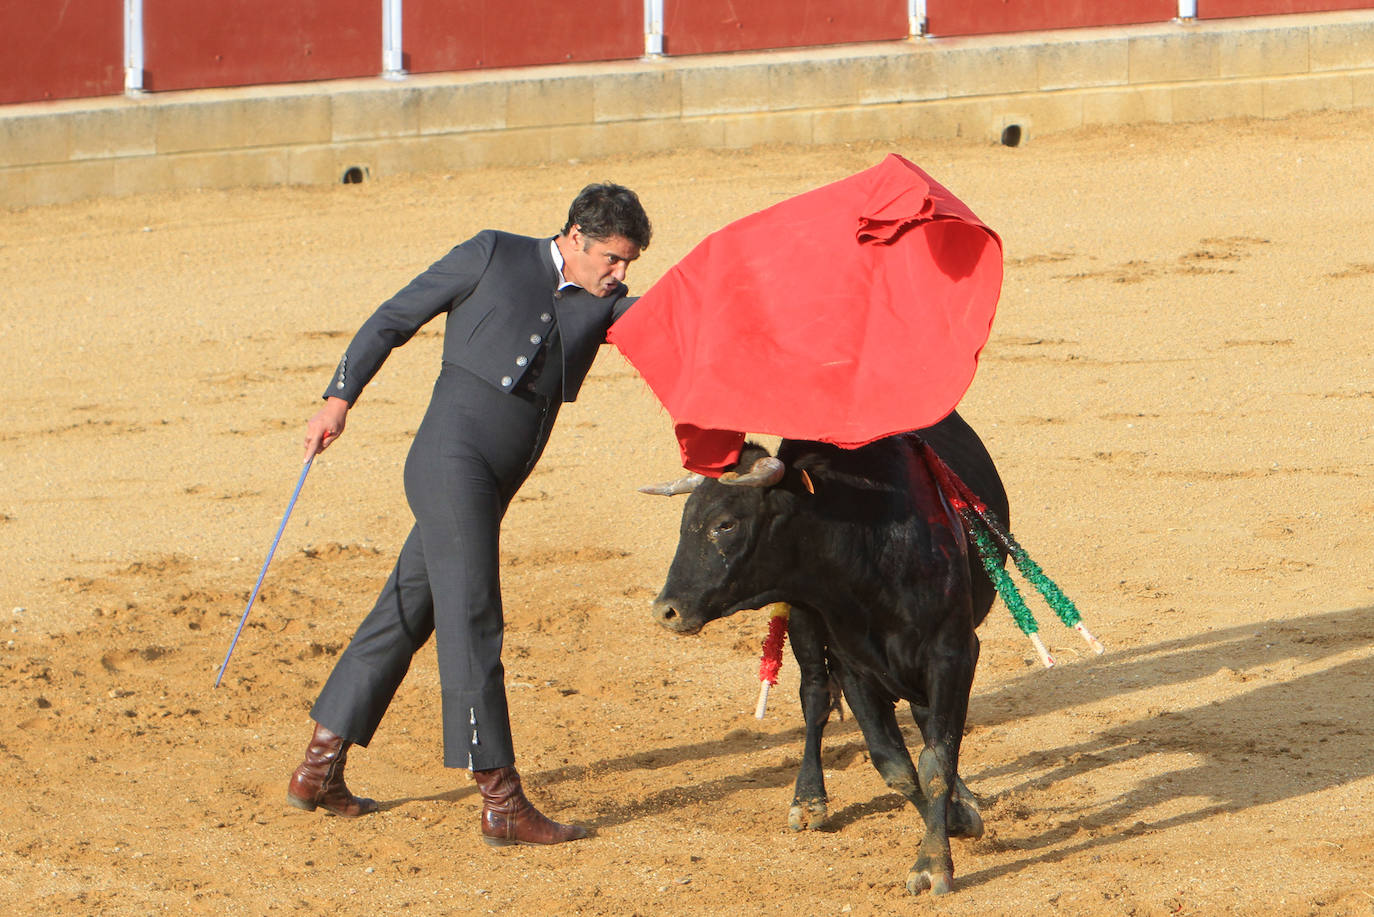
[[886, 593]]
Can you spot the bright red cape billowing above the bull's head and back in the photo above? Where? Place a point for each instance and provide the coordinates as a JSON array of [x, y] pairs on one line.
[[842, 316]]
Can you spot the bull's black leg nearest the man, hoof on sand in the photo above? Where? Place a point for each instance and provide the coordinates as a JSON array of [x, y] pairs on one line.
[[810, 804]]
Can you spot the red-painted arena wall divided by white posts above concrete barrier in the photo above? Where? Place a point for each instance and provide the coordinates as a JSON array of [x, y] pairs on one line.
[[75, 49]]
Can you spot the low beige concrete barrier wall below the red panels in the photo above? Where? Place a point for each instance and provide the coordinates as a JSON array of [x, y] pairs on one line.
[[938, 89]]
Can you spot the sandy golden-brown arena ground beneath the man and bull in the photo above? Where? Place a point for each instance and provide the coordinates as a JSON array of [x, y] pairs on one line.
[[1180, 391]]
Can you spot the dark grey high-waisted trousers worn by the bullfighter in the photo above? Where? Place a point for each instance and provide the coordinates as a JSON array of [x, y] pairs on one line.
[[475, 449]]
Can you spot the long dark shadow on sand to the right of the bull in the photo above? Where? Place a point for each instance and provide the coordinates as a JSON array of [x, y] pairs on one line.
[[1280, 740]]
